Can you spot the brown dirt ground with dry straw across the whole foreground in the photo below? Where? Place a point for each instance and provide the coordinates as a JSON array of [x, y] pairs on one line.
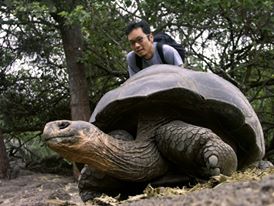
[[37, 189]]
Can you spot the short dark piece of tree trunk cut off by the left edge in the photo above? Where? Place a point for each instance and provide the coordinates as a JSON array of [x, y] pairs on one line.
[[4, 163]]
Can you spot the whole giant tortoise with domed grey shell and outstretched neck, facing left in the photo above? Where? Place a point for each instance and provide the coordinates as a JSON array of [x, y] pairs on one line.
[[161, 118]]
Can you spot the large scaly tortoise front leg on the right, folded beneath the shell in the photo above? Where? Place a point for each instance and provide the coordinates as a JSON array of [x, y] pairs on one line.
[[196, 150]]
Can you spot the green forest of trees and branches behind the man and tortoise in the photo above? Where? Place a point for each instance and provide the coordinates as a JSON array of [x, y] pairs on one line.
[[57, 58]]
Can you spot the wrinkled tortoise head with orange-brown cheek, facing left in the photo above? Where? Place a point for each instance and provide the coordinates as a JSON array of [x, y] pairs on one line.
[[69, 138]]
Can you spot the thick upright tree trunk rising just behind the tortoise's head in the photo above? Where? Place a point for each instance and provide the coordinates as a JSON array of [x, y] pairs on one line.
[[73, 47]]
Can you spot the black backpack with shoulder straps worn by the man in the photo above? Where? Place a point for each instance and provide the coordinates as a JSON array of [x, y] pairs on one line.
[[163, 38]]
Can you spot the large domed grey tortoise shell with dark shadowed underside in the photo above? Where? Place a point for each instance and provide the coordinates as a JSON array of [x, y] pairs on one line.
[[199, 98]]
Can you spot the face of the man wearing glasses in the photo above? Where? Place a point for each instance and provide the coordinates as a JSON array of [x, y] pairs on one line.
[[141, 43]]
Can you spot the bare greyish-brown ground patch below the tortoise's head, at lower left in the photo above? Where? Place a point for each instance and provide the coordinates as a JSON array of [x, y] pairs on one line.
[[37, 189]]
